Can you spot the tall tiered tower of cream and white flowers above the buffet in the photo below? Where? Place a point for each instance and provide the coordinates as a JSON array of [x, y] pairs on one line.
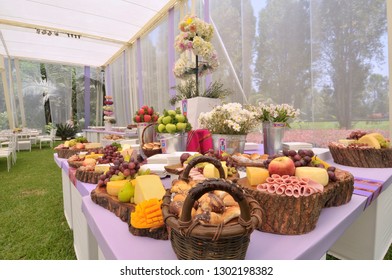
[[195, 36]]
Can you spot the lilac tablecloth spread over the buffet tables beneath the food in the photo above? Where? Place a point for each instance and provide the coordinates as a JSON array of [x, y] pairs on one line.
[[116, 242]]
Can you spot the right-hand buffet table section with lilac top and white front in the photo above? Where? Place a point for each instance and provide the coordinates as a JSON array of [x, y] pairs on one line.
[[370, 236]]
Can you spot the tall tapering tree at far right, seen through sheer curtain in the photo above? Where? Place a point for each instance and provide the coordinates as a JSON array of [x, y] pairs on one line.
[[349, 40]]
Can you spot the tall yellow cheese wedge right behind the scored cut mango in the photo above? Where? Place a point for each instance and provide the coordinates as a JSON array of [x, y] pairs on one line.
[[148, 187]]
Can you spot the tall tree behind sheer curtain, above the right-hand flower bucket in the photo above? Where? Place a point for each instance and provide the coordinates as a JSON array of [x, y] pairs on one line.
[[283, 64]]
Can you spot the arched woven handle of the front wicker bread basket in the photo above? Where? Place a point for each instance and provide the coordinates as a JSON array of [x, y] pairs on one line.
[[211, 185]]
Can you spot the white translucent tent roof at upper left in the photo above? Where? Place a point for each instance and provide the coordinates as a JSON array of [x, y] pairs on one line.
[[104, 28]]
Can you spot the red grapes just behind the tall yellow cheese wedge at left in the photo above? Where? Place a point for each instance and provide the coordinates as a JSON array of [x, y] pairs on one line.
[[127, 170]]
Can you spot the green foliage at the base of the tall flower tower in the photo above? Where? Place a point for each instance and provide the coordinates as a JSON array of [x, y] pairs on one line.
[[188, 90]]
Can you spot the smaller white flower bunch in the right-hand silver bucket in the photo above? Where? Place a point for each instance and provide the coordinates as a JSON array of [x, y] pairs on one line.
[[283, 113]]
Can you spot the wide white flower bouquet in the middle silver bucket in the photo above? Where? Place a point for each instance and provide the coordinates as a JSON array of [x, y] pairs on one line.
[[229, 118]]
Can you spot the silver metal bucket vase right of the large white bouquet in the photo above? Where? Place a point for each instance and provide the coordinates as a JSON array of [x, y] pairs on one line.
[[273, 133]]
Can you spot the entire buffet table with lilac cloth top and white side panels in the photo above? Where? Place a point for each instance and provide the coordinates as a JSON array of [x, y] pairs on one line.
[[338, 230]]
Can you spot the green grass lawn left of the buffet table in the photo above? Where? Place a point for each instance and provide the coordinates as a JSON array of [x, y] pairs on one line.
[[33, 226]]
